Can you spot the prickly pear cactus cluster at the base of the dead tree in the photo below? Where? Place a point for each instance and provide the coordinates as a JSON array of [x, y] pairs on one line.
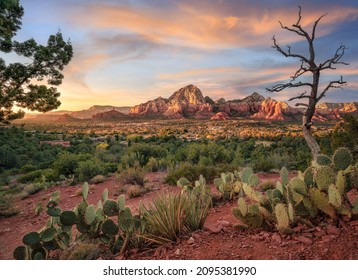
[[321, 189]]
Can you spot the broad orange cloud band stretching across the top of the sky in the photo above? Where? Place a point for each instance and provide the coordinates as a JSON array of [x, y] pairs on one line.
[[208, 28]]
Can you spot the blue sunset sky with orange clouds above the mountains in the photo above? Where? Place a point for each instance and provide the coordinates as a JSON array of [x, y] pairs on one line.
[[129, 51]]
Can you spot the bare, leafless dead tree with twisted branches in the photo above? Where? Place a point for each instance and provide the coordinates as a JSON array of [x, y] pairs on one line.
[[309, 66]]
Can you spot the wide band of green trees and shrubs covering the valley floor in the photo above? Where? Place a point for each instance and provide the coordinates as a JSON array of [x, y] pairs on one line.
[[24, 159]]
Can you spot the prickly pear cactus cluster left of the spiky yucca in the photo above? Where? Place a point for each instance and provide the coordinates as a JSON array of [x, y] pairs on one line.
[[92, 222]]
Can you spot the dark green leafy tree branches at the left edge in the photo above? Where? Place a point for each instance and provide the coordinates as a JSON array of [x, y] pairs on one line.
[[23, 84]]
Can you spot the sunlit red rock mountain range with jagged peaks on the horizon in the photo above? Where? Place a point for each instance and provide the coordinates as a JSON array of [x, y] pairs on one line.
[[190, 102]]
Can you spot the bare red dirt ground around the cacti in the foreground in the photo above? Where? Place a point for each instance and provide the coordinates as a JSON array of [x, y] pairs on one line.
[[218, 240]]
